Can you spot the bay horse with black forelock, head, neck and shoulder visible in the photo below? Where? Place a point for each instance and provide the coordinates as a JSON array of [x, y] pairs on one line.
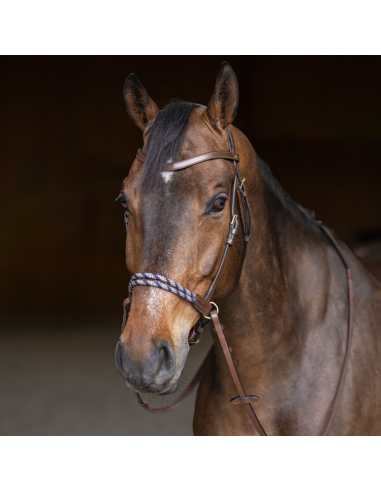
[[284, 306]]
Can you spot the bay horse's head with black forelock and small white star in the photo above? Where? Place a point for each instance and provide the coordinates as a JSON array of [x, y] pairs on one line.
[[178, 222]]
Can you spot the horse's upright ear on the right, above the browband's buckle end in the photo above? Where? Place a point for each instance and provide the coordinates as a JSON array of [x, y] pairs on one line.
[[223, 105]]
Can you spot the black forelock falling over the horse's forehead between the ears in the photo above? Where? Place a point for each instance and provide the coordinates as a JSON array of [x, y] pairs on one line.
[[165, 139]]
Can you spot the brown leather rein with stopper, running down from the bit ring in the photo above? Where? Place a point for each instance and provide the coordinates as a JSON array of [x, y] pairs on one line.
[[243, 398]]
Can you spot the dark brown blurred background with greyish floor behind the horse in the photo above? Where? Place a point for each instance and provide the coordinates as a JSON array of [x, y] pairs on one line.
[[66, 145]]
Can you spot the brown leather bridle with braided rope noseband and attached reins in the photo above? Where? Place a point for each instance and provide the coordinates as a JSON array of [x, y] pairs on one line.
[[204, 304]]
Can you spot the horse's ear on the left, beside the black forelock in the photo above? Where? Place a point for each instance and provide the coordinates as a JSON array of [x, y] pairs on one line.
[[140, 106]]
